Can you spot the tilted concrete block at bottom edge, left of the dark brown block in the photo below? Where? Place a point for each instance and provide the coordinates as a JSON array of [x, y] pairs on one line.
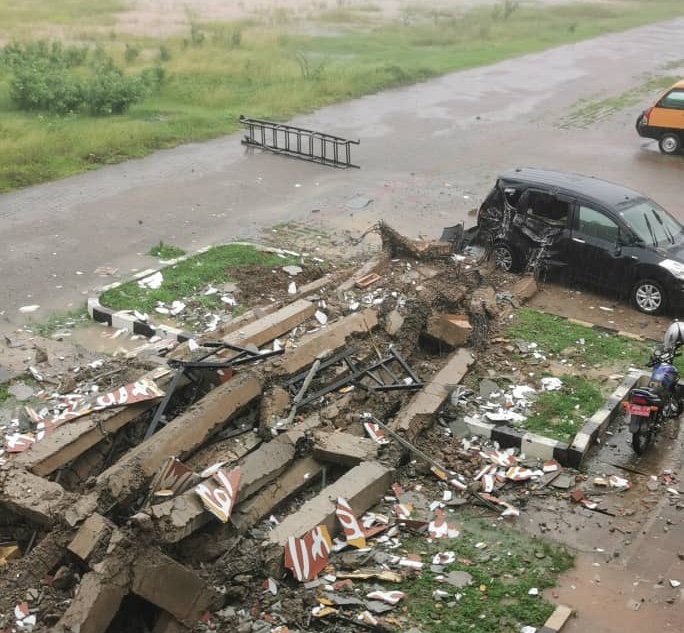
[[94, 606]]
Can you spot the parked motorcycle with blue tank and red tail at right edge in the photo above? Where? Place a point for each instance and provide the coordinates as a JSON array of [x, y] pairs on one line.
[[660, 399]]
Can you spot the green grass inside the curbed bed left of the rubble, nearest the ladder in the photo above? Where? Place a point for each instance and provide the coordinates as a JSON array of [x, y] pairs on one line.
[[190, 277]]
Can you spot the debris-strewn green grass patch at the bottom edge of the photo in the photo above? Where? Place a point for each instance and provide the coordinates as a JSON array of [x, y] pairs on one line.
[[503, 573]]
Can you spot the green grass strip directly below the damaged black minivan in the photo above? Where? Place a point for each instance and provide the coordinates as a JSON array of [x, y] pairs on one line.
[[553, 335]]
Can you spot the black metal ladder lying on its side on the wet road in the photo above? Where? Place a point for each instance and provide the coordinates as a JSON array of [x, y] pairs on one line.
[[298, 142]]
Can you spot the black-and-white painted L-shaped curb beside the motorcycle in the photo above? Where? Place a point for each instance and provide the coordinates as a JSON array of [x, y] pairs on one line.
[[533, 445]]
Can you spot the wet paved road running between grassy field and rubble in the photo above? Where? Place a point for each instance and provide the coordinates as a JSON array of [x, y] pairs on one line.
[[428, 154]]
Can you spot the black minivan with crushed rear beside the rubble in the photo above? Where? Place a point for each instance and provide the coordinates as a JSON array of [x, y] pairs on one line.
[[589, 231]]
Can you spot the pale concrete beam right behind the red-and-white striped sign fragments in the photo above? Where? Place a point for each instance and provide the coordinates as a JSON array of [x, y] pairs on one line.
[[362, 486]]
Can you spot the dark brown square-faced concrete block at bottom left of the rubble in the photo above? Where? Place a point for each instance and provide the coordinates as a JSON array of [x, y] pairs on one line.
[[170, 586]]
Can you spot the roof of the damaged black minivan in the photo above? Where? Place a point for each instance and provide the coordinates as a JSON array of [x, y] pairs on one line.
[[570, 183]]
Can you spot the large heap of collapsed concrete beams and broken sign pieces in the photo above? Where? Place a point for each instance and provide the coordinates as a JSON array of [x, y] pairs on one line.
[[244, 472]]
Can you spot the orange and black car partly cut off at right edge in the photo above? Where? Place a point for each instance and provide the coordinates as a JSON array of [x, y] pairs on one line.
[[664, 120]]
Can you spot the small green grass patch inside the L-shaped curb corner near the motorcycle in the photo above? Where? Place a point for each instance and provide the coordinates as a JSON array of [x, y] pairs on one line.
[[560, 414]]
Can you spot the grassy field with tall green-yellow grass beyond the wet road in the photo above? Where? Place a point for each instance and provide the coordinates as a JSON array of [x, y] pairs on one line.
[[273, 67]]
